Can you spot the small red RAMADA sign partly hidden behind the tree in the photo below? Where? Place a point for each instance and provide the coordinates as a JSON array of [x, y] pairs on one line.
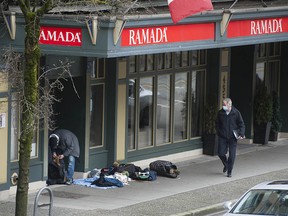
[[60, 36]]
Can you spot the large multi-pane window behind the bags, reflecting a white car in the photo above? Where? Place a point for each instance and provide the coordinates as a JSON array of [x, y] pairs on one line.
[[166, 94]]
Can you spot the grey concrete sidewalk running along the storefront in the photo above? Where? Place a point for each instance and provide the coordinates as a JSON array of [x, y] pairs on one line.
[[200, 189]]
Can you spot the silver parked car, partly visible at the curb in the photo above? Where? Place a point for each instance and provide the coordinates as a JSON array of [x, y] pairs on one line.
[[267, 198]]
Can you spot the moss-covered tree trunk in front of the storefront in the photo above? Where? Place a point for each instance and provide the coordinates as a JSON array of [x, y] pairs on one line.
[[31, 65]]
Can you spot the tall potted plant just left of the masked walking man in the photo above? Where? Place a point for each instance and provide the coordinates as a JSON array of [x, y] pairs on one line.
[[210, 142]]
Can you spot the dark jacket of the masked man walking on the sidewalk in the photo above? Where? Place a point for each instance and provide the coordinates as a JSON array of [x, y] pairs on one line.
[[225, 124]]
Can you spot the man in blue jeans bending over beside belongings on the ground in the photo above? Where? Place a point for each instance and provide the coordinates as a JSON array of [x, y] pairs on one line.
[[66, 142]]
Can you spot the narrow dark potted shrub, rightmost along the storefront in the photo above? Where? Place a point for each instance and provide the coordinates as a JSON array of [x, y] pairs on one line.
[[276, 120]]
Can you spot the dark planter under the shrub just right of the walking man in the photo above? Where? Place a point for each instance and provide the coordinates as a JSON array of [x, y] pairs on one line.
[[261, 133]]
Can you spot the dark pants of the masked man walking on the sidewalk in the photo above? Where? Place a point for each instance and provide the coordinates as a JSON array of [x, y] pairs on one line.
[[223, 146]]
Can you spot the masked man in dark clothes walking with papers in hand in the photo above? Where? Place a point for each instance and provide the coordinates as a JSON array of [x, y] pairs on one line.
[[230, 127]]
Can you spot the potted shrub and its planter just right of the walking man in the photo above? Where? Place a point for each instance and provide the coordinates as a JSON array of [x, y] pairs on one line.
[[262, 115]]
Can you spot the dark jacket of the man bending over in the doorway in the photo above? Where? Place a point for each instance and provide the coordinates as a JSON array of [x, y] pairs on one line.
[[68, 142]]
